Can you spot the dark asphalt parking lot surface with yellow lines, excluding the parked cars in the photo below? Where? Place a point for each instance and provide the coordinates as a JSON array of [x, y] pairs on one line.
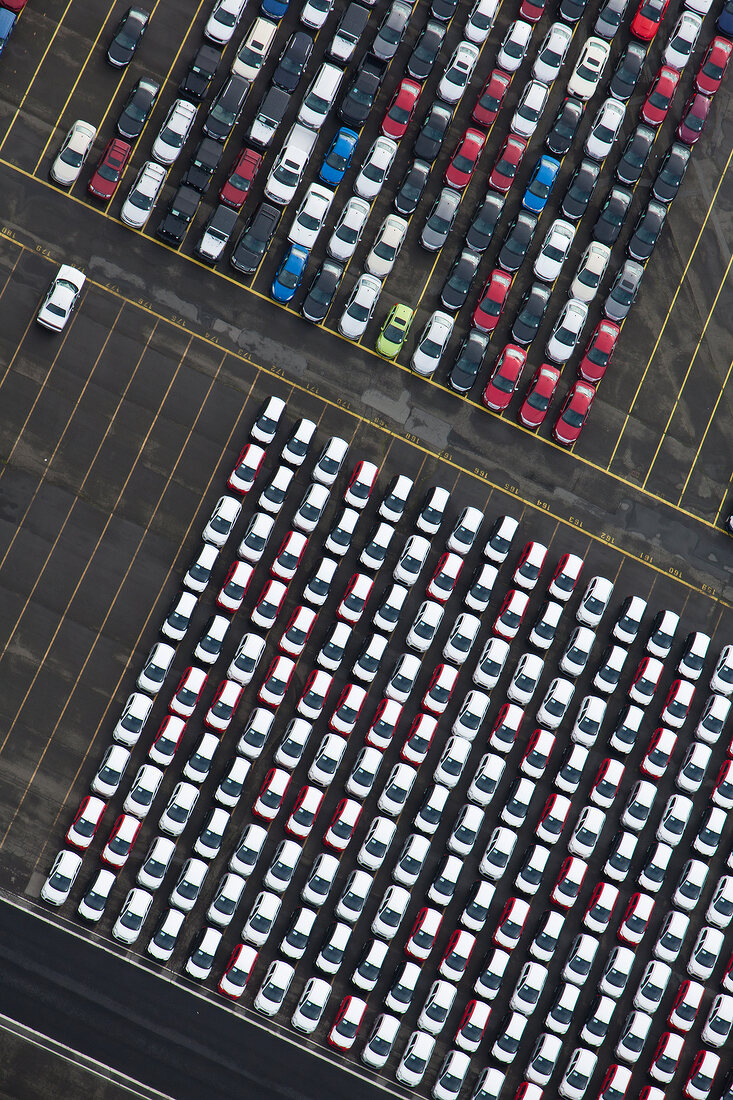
[[118, 438]]
